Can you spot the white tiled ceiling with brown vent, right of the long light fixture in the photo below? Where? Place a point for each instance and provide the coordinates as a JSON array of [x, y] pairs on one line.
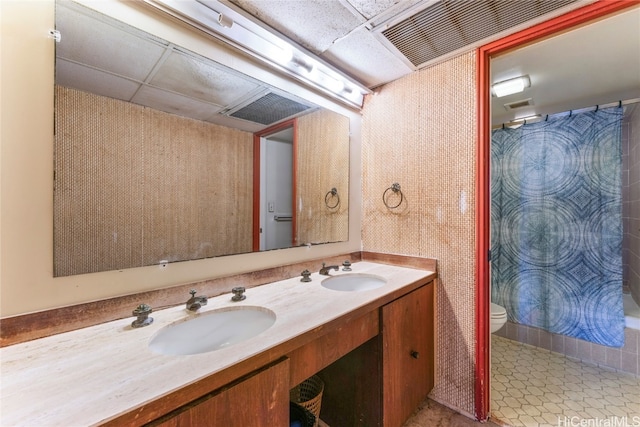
[[378, 41]]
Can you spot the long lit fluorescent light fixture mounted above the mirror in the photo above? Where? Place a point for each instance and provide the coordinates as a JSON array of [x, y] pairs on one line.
[[227, 22]]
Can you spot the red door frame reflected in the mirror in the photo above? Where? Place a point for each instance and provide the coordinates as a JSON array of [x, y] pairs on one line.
[[257, 137]]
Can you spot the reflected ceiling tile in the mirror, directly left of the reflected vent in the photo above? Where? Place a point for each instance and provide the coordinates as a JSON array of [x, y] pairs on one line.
[[202, 79]]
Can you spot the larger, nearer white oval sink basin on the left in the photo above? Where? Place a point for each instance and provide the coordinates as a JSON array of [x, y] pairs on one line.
[[212, 331]]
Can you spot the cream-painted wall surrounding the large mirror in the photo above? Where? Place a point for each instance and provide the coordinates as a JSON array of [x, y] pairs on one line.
[[26, 168]]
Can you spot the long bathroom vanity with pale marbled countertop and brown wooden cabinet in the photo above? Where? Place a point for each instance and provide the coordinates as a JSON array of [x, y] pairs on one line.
[[374, 349]]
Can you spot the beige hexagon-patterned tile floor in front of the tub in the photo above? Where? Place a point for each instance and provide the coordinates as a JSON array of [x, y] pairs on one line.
[[535, 387]]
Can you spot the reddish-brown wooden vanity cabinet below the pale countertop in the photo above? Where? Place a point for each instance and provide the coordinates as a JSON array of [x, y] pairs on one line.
[[377, 369]]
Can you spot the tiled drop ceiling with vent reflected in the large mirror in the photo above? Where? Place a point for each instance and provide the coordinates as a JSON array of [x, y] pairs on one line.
[[101, 55]]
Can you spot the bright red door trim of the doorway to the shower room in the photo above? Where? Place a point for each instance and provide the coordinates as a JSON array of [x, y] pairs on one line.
[[556, 25]]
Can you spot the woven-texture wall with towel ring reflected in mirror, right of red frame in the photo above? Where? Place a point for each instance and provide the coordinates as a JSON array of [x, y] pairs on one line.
[[323, 164]]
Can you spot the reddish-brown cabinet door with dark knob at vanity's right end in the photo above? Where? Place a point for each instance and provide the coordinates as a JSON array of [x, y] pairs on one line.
[[407, 354]]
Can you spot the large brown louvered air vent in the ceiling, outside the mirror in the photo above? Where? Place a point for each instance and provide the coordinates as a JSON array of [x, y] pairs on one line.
[[449, 25]]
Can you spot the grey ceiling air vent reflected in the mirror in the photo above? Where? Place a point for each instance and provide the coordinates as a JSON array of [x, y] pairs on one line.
[[269, 109]]
